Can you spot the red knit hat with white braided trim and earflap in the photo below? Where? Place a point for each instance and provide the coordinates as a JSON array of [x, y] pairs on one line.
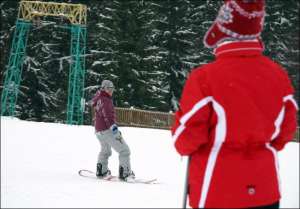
[[237, 20]]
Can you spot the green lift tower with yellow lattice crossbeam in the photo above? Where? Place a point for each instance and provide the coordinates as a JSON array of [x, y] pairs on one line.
[[28, 11]]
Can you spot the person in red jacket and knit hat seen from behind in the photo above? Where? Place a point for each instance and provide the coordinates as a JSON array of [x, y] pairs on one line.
[[235, 114]]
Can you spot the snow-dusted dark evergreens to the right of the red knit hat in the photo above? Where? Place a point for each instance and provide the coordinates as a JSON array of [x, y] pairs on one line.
[[281, 37]]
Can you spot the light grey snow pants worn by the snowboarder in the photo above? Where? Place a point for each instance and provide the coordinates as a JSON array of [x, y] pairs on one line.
[[108, 141]]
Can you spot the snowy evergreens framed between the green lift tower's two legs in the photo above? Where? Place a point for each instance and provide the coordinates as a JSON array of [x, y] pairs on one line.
[[43, 90]]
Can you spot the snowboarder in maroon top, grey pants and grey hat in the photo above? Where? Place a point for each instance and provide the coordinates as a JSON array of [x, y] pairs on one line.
[[108, 134]]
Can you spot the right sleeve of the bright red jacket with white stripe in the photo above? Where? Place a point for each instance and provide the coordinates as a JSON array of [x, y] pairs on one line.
[[287, 120]]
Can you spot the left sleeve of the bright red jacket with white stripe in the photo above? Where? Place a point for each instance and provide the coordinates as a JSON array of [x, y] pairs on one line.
[[191, 126]]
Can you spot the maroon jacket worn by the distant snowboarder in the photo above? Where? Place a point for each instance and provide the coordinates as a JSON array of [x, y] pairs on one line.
[[105, 112]]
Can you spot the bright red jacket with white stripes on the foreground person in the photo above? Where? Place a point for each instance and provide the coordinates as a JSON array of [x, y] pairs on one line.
[[245, 94]]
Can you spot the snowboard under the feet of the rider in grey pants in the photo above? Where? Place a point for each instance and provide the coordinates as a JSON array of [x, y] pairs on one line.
[[111, 178]]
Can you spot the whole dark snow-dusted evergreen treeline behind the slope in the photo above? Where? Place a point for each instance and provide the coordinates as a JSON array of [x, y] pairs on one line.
[[147, 48]]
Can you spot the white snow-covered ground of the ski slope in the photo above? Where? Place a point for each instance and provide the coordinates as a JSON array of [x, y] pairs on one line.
[[40, 161]]
